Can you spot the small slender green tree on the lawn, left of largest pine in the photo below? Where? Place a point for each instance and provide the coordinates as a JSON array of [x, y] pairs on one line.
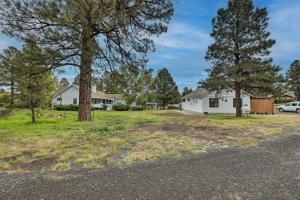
[[36, 83]]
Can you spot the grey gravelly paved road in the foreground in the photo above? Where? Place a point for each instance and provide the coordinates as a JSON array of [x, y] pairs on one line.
[[270, 171]]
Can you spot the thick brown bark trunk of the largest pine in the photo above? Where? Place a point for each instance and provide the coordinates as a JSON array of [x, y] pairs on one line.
[[85, 81]]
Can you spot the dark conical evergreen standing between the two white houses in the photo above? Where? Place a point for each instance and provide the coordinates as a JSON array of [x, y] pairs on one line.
[[166, 89]]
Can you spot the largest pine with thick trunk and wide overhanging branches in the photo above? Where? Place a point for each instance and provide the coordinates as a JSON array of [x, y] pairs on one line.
[[88, 33]]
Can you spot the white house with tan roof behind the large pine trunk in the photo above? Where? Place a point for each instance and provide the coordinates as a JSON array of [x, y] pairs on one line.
[[70, 96]]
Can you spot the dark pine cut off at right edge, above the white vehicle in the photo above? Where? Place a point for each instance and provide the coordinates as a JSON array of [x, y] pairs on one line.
[[293, 76]]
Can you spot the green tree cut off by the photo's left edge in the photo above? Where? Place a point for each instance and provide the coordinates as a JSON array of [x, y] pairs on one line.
[[9, 71]]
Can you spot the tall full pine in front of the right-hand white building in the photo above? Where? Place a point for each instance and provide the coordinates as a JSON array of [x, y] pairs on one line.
[[240, 51]]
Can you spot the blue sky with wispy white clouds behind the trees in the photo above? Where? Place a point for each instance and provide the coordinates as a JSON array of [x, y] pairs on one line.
[[183, 48]]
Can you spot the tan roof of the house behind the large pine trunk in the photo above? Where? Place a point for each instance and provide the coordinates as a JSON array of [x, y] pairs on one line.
[[95, 95]]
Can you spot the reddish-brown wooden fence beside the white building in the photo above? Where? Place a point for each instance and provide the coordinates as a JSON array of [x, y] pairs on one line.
[[262, 106]]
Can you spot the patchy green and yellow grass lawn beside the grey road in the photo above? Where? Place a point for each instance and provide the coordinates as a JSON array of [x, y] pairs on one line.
[[121, 138]]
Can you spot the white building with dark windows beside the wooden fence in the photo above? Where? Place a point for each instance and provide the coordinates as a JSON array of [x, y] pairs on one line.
[[203, 101]]
